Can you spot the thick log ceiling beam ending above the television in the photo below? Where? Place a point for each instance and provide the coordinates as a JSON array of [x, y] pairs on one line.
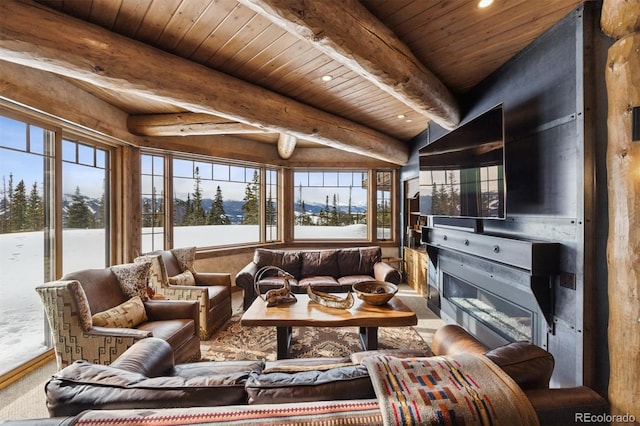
[[345, 31]]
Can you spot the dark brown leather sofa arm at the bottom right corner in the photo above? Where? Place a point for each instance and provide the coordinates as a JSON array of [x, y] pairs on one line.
[[568, 406]]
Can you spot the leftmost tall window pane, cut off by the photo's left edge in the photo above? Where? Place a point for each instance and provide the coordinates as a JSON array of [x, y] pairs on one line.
[[26, 162]]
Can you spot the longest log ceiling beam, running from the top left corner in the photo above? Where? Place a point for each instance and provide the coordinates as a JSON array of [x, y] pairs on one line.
[[38, 37]]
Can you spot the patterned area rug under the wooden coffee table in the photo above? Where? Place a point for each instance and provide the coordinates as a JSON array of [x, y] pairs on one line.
[[235, 342]]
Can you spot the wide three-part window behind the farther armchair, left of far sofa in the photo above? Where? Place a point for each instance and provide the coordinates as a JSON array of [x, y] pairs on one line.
[[213, 203]]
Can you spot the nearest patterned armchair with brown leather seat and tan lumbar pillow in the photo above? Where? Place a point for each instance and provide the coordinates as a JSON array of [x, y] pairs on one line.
[[77, 303]]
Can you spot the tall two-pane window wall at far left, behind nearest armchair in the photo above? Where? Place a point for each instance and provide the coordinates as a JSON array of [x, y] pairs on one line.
[[54, 204]]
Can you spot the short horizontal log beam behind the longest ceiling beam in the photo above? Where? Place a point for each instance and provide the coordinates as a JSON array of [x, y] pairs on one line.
[[186, 124]]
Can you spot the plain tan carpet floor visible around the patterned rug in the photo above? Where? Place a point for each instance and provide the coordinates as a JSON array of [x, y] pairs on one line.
[[25, 398]]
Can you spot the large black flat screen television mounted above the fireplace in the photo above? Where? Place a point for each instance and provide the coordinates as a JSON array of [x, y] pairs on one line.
[[462, 172]]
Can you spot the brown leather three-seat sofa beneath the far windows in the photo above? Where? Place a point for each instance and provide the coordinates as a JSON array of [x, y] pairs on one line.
[[333, 271]]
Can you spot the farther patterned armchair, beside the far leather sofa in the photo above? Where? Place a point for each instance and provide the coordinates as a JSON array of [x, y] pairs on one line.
[[173, 275]]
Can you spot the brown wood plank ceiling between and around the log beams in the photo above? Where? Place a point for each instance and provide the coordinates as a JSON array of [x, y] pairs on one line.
[[459, 43]]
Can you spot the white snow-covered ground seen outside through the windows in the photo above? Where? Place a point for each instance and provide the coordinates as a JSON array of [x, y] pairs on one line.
[[22, 317]]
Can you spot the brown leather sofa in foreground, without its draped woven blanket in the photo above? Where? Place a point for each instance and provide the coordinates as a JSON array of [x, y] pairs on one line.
[[146, 377]]
